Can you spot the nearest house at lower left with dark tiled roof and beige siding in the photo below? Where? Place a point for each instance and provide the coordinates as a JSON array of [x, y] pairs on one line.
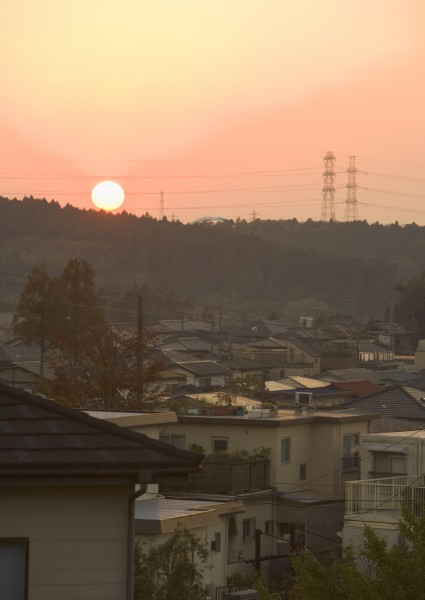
[[68, 485]]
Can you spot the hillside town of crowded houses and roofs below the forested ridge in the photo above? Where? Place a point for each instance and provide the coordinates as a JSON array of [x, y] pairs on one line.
[[265, 438]]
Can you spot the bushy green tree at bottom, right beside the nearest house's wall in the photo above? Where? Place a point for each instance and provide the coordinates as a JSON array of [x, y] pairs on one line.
[[172, 570]]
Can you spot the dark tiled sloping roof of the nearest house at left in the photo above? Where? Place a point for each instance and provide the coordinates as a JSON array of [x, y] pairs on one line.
[[41, 437]]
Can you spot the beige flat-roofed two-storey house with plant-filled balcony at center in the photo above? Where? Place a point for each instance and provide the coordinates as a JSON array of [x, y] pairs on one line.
[[311, 456]]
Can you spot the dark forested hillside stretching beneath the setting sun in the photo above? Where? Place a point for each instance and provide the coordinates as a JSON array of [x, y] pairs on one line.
[[352, 267]]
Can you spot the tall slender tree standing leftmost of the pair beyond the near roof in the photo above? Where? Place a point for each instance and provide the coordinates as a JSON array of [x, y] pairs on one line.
[[31, 321]]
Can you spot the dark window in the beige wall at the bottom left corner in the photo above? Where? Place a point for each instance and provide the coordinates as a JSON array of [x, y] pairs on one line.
[[13, 568]]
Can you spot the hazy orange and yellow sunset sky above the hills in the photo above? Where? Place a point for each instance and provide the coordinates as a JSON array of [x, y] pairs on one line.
[[226, 107]]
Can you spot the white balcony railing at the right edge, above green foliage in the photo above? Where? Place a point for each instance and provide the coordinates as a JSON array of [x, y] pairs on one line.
[[385, 496]]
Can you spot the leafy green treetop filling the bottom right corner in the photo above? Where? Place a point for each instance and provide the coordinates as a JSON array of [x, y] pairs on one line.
[[376, 572]]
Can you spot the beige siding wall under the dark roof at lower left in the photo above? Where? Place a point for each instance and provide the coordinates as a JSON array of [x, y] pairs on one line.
[[77, 539]]
